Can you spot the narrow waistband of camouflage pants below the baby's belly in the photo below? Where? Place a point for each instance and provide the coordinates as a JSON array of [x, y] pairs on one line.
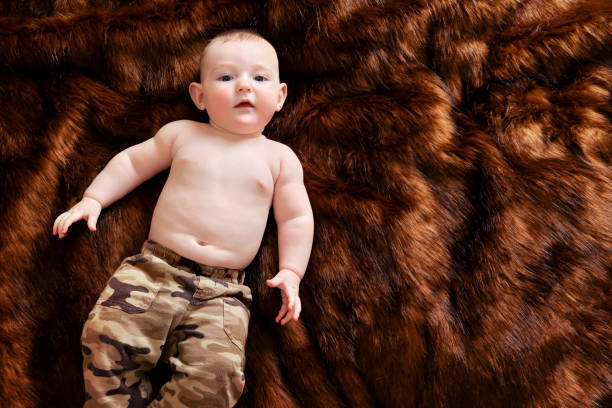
[[176, 260]]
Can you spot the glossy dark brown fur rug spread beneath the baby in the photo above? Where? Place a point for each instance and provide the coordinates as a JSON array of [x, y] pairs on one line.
[[458, 157]]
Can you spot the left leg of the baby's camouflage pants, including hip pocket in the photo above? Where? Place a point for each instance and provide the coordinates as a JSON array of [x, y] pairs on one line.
[[124, 334]]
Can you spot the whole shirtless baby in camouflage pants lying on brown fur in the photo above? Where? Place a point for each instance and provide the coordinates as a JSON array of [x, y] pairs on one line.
[[182, 299]]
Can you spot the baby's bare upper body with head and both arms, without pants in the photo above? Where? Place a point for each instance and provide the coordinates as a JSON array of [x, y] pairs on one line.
[[224, 176]]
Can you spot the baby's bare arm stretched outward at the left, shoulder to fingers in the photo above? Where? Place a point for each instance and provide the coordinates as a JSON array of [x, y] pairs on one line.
[[122, 174]]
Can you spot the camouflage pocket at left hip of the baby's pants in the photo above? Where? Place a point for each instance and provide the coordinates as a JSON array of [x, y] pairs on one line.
[[131, 289]]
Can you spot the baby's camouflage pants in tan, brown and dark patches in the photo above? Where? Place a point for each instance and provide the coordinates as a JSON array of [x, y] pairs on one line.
[[159, 305]]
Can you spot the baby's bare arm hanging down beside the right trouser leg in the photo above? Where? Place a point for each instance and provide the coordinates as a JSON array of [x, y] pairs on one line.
[[295, 225]]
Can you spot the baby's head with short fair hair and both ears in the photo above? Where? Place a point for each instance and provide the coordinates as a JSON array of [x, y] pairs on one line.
[[239, 83]]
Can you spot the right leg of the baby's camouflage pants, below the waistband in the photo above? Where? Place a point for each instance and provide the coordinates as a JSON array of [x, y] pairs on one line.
[[207, 357]]
